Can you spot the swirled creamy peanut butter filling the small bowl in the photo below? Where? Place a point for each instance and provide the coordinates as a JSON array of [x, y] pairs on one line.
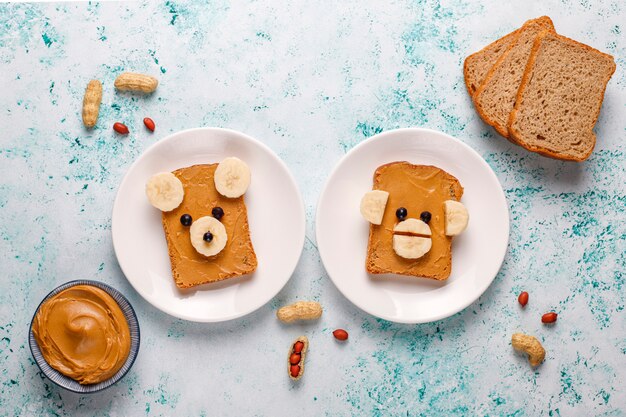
[[82, 333]]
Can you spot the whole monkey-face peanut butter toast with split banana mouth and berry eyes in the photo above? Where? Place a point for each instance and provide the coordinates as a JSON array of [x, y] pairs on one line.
[[420, 196]]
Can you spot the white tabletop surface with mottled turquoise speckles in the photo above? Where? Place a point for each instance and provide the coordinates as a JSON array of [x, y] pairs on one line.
[[309, 79]]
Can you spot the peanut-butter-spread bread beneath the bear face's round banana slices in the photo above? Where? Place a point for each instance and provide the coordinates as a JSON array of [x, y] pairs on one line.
[[190, 268]]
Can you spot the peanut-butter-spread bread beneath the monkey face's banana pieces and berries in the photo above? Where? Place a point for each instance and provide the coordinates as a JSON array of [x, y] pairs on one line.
[[417, 188]]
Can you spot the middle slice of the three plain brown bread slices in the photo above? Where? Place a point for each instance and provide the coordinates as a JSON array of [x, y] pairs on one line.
[[495, 98]]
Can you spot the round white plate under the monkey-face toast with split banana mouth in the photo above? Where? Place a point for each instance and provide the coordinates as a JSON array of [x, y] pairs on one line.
[[477, 253]]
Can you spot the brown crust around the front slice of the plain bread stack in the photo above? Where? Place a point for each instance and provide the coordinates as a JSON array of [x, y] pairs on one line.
[[525, 80]]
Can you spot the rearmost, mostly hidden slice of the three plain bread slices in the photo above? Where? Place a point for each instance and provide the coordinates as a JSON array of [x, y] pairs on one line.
[[478, 64]]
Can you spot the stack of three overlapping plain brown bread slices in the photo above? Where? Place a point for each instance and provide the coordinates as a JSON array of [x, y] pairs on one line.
[[540, 90]]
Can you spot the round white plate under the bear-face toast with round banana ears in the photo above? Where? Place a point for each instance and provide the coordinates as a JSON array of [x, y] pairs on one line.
[[275, 214]]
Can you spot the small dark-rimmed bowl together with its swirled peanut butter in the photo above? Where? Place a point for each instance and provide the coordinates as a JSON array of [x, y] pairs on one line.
[[84, 336]]
